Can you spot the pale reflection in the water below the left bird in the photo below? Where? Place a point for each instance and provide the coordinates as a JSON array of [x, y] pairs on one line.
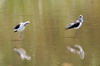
[[22, 53]]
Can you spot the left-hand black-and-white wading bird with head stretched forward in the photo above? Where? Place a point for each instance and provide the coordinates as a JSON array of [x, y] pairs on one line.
[[21, 27]]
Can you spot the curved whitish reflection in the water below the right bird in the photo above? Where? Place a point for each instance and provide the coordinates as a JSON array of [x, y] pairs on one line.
[[77, 49]]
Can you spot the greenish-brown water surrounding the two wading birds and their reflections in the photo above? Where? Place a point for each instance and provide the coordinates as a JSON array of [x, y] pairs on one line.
[[46, 39]]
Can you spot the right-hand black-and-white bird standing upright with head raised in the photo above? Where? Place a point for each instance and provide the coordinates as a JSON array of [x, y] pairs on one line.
[[76, 24]]
